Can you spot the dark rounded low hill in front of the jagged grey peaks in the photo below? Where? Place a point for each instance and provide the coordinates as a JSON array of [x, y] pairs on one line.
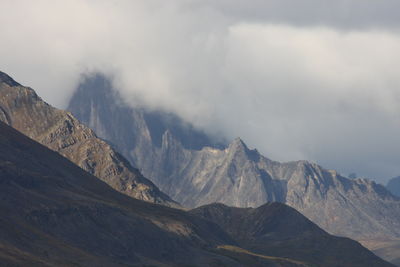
[[278, 229]]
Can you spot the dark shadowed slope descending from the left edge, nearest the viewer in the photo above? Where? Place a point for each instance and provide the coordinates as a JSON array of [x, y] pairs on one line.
[[53, 211]]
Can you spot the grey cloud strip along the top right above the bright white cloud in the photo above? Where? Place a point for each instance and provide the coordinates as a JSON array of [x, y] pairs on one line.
[[344, 14]]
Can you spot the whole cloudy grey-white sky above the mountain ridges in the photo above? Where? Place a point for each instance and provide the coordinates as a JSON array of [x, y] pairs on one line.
[[310, 79]]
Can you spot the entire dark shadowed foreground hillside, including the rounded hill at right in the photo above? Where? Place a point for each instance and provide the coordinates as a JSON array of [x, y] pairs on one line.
[[52, 213]]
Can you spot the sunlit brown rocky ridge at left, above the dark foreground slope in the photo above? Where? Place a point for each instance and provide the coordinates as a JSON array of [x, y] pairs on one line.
[[24, 110]]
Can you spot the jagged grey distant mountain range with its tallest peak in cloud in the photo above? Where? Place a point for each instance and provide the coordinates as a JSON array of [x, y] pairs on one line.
[[236, 175]]
